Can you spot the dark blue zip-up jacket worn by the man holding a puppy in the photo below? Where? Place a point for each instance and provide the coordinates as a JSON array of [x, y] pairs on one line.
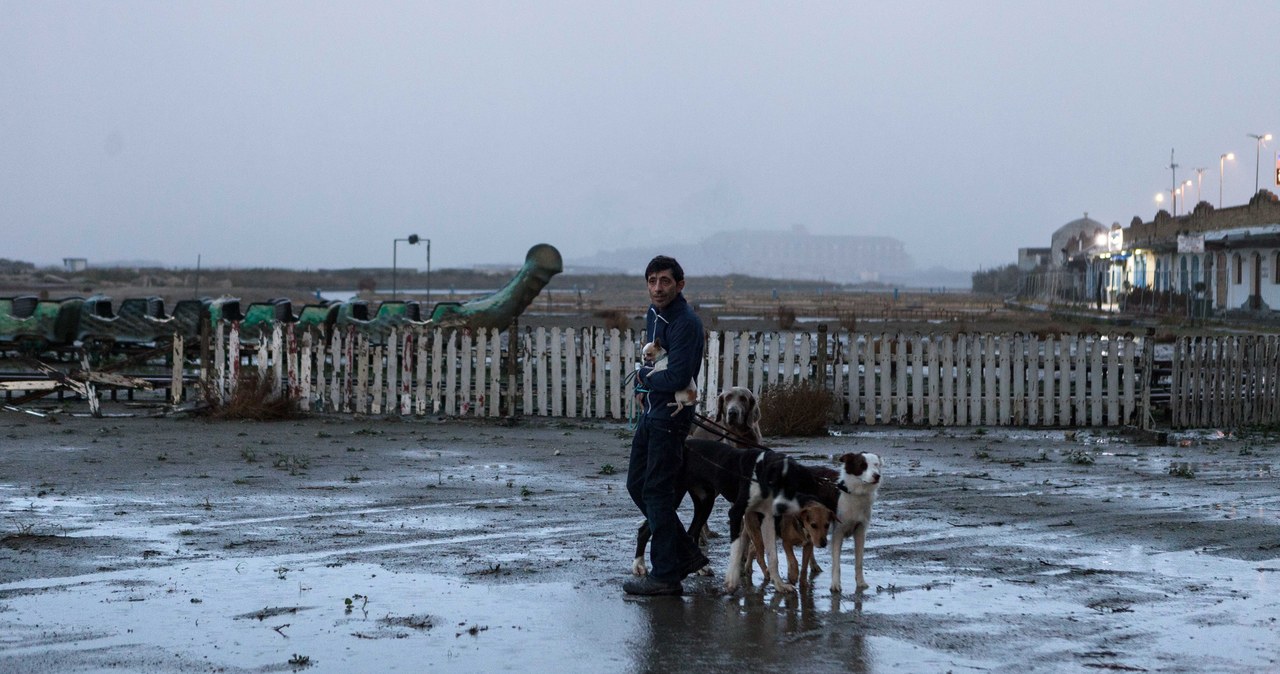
[[680, 332]]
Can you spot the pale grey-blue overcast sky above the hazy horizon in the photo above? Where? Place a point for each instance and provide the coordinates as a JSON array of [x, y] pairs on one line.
[[312, 135]]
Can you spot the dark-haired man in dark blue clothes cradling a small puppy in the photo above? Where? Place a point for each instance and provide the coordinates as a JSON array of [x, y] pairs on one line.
[[659, 447]]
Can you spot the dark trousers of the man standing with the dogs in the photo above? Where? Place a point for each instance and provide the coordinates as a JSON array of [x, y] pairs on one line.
[[653, 479]]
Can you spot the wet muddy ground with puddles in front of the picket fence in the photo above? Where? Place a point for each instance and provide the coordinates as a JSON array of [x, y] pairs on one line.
[[337, 544]]
